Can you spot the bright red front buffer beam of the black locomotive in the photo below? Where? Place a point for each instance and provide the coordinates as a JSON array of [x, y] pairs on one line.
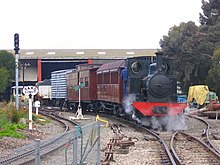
[[159, 109]]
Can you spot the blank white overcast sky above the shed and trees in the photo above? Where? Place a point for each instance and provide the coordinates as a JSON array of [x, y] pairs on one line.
[[92, 24]]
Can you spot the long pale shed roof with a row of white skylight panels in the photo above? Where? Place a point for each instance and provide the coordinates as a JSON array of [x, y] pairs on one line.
[[83, 53]]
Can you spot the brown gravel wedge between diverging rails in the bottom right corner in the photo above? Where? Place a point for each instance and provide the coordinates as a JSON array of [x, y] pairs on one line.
[[188, 149]]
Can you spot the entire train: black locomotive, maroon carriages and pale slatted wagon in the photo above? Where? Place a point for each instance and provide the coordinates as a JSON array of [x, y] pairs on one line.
[[139, 87]]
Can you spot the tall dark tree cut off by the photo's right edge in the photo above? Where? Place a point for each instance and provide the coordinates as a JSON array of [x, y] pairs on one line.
[[210, 25]]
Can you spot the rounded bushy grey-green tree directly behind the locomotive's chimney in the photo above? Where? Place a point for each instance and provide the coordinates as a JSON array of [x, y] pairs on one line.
[[183, 45]]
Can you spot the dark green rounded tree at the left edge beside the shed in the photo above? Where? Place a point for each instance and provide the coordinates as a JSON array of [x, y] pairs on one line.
[[7, 69]]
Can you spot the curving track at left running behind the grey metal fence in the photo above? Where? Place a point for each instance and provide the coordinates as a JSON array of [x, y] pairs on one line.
[[27, 153]]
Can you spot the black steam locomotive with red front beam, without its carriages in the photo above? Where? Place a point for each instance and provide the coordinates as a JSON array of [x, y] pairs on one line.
[[154, 85]]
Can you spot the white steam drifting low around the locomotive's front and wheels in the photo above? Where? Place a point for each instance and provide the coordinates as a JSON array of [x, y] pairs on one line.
[[169, 123]]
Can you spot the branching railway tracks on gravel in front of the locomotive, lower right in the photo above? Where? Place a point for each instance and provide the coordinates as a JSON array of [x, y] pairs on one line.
[[192, 146]]
